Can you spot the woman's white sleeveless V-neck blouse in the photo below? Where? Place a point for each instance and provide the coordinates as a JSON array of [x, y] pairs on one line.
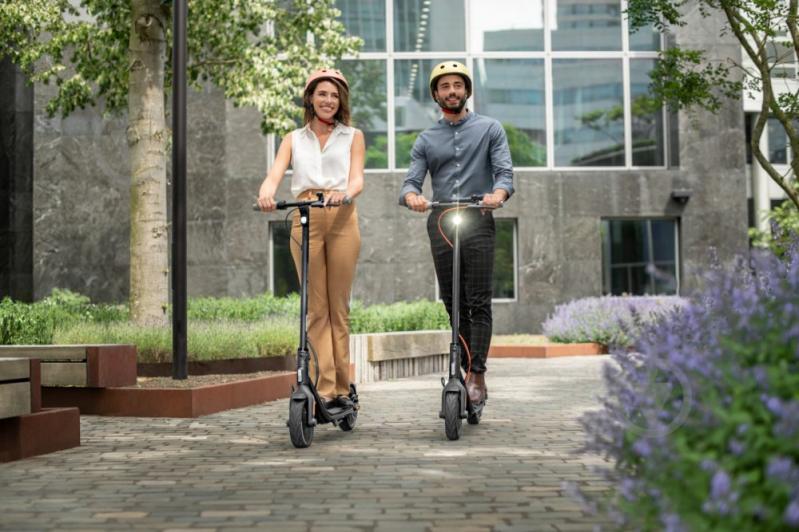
[[328, 168]]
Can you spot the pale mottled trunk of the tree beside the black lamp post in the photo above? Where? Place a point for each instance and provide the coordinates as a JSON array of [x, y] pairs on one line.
[[149, 238]]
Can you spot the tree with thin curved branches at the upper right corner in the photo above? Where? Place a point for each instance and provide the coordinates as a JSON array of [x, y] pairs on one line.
[[767, 31]]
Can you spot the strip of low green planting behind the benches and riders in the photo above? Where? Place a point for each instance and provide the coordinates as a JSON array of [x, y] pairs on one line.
[[219, 328]]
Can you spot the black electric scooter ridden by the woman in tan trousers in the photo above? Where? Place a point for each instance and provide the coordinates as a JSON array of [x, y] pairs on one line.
[[306, 407]]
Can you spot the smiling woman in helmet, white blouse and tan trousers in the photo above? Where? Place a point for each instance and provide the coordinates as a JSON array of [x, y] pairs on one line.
[[327, 155]]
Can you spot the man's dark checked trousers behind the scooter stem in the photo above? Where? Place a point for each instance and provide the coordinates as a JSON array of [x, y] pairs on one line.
[[477, 236]]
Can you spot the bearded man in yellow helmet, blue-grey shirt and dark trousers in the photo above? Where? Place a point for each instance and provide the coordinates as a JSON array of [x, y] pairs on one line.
[[466, 154]]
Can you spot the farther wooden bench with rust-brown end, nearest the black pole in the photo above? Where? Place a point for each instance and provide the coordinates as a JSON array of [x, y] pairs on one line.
[[88, 366]]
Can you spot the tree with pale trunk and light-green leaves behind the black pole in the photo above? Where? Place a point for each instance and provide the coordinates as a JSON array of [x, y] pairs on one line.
[[117, 53]]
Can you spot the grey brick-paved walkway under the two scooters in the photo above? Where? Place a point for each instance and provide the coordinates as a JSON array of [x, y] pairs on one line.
[[395, 471]]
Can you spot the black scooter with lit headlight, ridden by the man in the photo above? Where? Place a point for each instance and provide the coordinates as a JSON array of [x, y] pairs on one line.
[[455, 402]]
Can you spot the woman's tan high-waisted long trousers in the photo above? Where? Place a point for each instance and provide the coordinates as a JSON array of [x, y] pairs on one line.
[[335, 241]]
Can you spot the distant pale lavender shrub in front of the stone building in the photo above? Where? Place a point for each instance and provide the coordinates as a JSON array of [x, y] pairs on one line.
[[609, 320]]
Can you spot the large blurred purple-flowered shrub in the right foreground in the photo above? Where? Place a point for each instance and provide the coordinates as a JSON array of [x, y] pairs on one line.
[[702, 418]]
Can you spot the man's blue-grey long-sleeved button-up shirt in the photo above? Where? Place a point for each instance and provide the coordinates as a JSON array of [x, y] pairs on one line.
[[464, 158]]
